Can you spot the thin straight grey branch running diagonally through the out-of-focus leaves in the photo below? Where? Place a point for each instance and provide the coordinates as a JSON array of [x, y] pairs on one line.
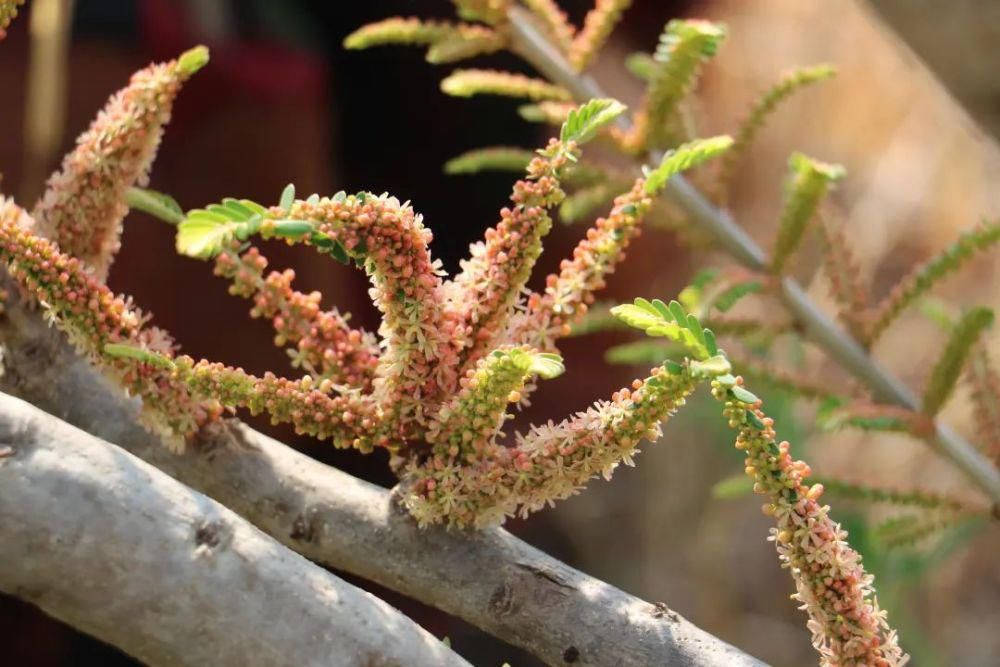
[[824, 331]]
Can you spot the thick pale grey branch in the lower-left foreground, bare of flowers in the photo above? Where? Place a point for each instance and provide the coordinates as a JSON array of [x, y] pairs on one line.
[[111, 545]]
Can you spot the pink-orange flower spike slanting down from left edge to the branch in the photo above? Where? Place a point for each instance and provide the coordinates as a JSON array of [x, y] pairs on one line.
[[93, 317]]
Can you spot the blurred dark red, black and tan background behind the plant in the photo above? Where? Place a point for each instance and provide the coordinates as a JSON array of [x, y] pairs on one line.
[[913, 115]]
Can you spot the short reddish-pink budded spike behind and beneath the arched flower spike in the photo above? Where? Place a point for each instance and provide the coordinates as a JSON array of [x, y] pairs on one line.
[[324, 343]]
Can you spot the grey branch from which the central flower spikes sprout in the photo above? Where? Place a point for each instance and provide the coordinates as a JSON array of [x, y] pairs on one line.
[[491, 579]]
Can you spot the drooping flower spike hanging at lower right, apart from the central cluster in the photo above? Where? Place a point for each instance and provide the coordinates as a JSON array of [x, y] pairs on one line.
[[848, 627]]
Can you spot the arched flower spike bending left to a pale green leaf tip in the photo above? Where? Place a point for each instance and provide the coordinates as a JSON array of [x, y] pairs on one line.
[[389, 240]]
